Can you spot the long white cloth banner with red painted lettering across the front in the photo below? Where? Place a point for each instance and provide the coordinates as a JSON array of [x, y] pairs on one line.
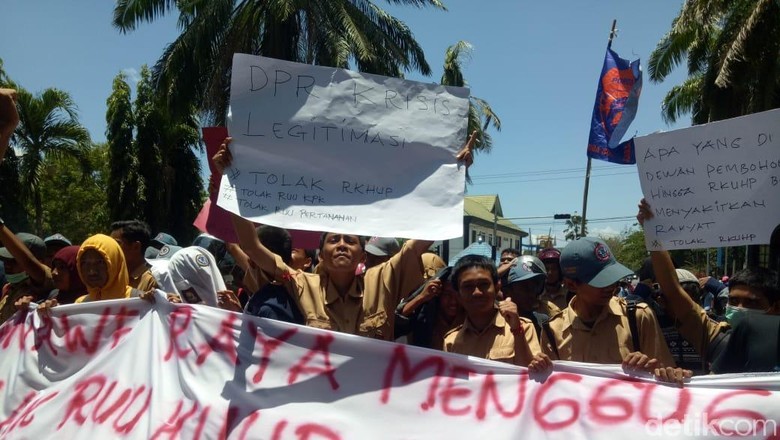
[[132, 369]]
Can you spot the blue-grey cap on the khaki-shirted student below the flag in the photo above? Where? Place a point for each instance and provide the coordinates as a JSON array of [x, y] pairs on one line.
[[590, 261]]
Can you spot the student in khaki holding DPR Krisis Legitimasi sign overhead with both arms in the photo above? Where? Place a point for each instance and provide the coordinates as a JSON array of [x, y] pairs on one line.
[[334, 297]]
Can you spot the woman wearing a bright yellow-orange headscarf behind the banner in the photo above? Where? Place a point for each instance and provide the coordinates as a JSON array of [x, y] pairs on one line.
[[102, 268]]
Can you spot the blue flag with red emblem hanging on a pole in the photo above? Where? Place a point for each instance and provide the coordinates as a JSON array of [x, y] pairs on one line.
[[617, 99]]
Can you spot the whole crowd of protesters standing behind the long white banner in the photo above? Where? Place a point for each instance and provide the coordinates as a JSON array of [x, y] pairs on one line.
[[573, 304]]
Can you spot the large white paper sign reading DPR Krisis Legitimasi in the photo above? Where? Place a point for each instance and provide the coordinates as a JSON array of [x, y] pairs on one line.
[[318, 148]]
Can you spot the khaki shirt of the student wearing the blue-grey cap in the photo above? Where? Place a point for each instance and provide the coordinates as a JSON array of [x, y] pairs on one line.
[[609, 340]]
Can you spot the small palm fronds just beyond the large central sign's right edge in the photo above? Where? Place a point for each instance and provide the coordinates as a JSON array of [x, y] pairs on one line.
[[480, 113]]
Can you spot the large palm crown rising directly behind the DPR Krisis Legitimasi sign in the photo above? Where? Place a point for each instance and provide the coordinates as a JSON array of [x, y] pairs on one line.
[[195, 68]]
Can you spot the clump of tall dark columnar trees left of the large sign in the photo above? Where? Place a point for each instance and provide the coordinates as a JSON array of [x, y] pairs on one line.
[[154, 171]]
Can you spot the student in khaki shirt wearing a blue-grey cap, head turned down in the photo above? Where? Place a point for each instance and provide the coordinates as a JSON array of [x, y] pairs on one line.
[[595, 327]]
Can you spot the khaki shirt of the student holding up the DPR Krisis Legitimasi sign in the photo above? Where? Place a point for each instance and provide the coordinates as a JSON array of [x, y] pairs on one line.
[[368, 308]]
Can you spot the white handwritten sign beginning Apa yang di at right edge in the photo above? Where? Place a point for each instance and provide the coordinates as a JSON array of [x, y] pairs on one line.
[[712, 185]]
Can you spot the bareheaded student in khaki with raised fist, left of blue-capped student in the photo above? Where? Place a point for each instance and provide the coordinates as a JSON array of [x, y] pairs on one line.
[[492, 330]]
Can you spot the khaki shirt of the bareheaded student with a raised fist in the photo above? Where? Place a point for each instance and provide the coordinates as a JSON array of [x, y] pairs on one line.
[[495, 342]]
